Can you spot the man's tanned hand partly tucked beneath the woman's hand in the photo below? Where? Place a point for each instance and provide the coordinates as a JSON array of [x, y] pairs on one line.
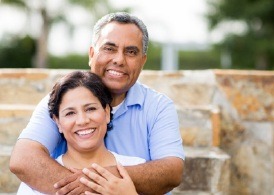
[[71, 184]]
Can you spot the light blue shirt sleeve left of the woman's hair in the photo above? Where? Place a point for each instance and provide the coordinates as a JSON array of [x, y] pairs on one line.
[[41, 127]]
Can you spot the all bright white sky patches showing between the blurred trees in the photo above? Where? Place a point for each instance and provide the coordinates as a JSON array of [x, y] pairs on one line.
[[173, 21]]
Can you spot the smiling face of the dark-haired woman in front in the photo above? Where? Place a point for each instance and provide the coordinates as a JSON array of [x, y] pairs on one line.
[[82, 119]]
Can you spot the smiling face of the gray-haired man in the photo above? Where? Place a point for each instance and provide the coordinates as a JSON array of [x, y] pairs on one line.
[[117, 56]]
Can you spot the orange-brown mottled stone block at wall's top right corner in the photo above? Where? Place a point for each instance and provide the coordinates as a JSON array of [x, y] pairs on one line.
[[251, 93]]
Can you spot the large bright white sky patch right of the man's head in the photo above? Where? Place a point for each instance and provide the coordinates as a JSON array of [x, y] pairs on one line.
[[177, 21]]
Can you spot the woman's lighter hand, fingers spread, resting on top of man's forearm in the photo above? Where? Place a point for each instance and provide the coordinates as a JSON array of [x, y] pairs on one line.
[[104, 182]]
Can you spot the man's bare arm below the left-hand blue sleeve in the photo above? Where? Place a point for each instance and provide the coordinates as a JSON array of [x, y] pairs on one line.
[[32, 164]]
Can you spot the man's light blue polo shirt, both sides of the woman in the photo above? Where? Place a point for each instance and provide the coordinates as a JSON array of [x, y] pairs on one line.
[[146, 125]]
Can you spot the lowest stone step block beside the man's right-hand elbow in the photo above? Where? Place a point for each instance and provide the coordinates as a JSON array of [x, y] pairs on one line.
[[207, 171]]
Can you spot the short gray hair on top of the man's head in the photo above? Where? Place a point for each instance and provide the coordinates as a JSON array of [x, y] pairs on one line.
[[121, 17]]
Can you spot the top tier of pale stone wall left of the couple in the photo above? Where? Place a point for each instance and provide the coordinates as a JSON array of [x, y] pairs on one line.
[[27, 86]]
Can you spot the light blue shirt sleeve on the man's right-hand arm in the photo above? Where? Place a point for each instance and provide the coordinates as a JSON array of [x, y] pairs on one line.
[[164, 136]]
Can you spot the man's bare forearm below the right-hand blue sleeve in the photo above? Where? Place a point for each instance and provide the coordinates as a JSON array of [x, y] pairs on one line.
[[157, 176]]
